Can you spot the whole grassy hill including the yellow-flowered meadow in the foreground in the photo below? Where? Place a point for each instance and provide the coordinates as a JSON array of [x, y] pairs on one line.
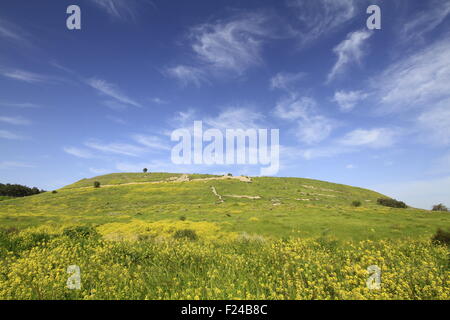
[[174, 236]]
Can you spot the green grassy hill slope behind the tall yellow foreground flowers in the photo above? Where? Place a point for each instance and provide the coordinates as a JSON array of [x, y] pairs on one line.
[[276, 214]]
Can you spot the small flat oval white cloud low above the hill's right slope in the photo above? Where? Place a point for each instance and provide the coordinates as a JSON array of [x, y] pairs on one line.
[[374, 138]]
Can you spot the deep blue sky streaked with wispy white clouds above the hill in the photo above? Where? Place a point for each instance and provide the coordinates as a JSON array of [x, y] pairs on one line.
[[369, 108]]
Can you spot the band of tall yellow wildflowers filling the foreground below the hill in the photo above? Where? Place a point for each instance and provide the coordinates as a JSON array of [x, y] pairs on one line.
[[35, 266]]
